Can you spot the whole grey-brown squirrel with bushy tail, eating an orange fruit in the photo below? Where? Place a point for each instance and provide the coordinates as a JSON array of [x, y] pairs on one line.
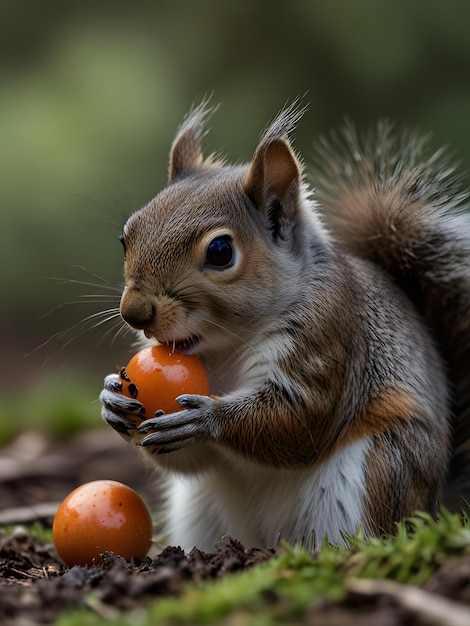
[[333, 318]]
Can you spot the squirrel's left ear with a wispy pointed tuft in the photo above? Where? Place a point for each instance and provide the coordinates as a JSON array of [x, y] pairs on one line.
[[186, 151]]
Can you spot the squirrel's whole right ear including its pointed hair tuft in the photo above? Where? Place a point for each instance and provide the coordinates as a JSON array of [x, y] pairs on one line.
[[274, 177]]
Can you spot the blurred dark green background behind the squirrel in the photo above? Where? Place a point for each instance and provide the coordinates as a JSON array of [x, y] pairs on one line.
[[90, 96]]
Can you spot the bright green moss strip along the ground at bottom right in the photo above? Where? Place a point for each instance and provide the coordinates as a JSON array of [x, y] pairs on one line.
[[282, 589]]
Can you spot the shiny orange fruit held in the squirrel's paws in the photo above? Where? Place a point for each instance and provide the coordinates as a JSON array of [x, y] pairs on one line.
[[158, 374]]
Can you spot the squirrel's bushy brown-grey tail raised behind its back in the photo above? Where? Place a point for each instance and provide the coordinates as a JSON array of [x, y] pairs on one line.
[[390, 200]]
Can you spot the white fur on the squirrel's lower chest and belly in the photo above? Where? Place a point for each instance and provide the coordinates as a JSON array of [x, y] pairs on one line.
[[258, 505]]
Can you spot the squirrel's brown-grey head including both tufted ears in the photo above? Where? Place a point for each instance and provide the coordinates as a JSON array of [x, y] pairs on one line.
[[209, 257]]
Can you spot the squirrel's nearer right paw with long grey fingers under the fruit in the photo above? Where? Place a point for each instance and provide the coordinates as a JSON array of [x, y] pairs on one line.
[[194, 424]]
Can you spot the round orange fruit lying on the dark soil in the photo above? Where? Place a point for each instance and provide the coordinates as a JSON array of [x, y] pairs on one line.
[[101, 516]]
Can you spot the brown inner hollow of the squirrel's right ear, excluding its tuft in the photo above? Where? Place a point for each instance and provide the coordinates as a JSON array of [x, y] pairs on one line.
[[274, 178]]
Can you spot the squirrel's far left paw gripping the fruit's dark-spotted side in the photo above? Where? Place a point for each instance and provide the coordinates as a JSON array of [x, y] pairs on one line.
[[120, 412]]
